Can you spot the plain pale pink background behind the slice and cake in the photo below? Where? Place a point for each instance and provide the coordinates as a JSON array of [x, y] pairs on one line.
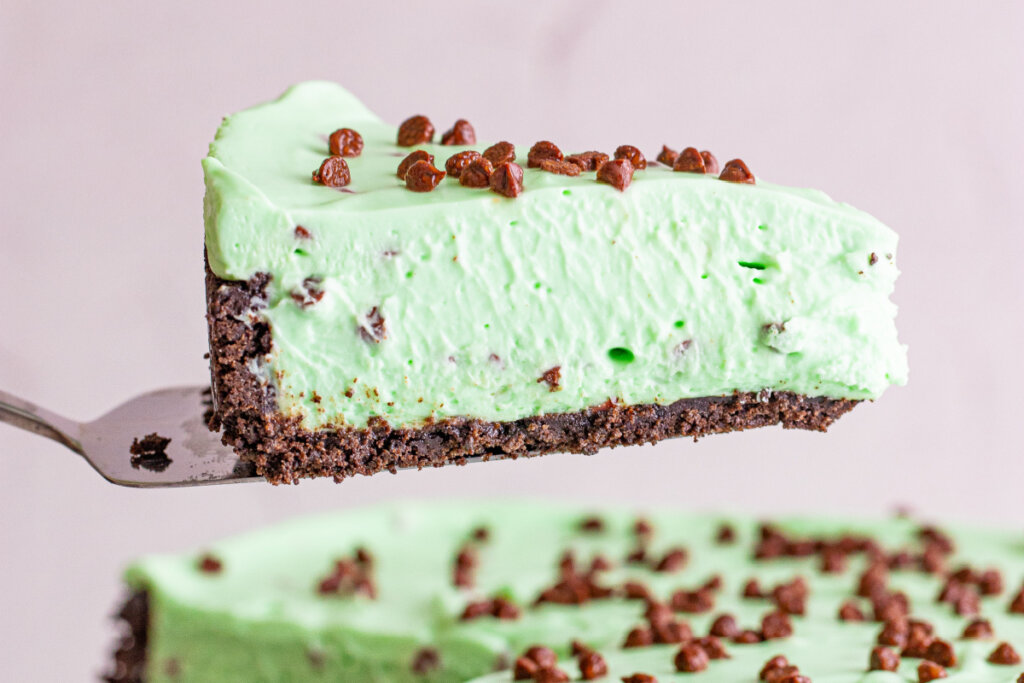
[[911, 111]]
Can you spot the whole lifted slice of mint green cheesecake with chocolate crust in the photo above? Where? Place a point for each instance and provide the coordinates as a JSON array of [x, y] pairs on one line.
[[383, 297]]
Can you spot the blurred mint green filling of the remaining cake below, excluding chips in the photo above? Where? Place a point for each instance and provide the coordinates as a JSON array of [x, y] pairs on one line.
[[262, 619]]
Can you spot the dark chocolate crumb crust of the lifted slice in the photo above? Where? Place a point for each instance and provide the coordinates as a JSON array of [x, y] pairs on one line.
[[284, 452]]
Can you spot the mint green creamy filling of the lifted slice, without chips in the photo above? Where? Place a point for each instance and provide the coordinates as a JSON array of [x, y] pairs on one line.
[[684, 286]]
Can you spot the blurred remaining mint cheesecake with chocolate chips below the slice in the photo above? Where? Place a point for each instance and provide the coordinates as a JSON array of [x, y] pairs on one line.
[[451, 592]]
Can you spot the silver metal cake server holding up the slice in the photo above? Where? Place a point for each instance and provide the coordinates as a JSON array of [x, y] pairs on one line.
[[194, 456]]
